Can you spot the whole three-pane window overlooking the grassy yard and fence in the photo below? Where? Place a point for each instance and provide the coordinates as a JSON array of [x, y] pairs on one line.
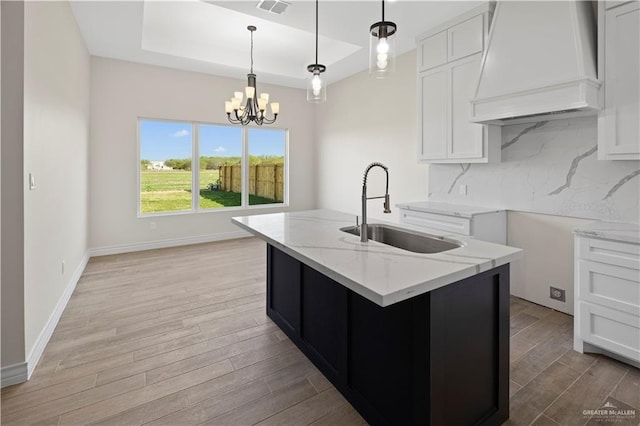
[[237, 167]]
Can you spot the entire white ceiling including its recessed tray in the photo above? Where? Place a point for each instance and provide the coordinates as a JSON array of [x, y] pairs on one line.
[[202, 36]]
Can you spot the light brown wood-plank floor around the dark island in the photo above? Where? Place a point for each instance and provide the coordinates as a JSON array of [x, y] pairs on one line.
[[179, 336]]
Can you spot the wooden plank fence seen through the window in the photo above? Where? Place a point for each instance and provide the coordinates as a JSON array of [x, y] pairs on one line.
[[265, 180]]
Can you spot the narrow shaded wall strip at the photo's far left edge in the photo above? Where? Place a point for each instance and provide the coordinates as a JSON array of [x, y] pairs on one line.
[[12, 197]]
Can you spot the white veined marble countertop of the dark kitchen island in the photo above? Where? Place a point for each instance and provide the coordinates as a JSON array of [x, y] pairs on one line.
[[379, 272]]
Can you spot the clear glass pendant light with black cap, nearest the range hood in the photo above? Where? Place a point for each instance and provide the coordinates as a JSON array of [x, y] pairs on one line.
[[382, 59]]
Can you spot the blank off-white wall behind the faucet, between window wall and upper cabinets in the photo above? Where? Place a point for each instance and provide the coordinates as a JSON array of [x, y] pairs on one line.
[[366, 120]]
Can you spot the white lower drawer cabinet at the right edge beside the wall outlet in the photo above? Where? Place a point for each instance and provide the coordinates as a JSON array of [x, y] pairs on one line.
[[607, 296]]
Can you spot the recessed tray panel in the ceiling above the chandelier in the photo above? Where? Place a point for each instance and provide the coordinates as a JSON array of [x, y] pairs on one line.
[[206, 32]]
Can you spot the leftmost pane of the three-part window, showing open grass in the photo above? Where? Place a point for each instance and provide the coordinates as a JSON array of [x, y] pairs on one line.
[[165, 166]]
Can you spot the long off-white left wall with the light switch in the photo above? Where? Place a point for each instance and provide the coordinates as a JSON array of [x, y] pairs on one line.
[[56, 146]]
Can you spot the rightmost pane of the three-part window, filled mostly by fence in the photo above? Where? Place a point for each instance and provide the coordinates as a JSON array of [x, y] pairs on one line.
[[266, 166]]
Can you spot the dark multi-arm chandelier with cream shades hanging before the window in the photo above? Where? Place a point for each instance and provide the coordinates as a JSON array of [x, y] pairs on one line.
[[255, 107]]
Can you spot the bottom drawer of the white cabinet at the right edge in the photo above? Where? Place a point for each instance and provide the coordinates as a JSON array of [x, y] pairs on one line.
[[615, 331]]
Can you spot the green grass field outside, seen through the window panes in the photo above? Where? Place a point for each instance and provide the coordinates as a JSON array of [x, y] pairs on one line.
[[163, 191]]
